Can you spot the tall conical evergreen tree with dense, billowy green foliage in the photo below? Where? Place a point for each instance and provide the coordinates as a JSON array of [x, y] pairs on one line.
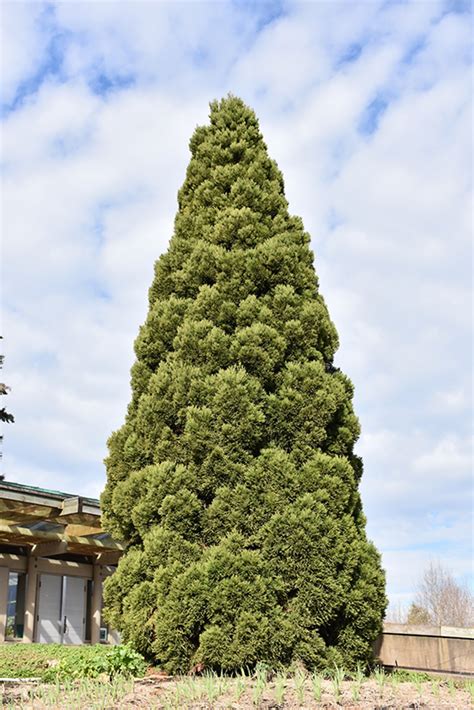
[[233, 479]]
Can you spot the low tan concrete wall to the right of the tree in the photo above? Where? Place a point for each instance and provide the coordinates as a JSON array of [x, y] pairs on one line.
[[430, 648]]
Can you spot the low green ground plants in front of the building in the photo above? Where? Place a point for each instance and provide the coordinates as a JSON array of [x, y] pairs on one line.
[[56, 661]]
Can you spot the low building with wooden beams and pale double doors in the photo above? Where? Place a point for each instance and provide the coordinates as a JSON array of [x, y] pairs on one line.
[[54, 556]]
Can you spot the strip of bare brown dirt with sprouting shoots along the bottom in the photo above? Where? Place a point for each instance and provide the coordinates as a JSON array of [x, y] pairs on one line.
[[159, 692]]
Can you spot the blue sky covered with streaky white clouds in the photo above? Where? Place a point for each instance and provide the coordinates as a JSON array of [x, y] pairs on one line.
[[366, 108]]
